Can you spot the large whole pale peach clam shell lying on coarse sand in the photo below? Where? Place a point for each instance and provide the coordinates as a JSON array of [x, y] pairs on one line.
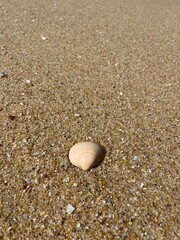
[[86, 155]]
